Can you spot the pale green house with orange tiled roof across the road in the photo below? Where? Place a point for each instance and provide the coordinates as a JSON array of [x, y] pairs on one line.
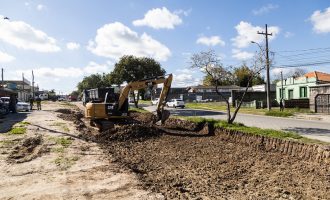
[[298, 88]]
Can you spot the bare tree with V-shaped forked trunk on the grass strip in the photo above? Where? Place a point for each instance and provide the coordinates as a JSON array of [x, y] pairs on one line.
[[211, 65]]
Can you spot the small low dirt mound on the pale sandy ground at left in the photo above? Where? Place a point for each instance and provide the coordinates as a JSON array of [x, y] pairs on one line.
[[29, 149]]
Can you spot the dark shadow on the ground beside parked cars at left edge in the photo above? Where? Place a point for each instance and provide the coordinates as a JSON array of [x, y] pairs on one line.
[[9, 120]]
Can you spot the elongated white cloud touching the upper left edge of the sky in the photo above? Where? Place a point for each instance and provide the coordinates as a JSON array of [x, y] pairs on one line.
[[24, 36]]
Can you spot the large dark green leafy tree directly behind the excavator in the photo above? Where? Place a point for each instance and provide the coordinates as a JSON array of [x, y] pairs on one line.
[[130, 68]]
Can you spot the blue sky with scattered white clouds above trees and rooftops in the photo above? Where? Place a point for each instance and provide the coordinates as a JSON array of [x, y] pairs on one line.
[[63, 41]]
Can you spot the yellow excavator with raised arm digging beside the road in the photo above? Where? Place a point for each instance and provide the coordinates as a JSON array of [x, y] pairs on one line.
[[105, 106]]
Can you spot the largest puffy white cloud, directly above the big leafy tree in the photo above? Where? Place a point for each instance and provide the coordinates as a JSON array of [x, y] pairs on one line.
[[115, 40]]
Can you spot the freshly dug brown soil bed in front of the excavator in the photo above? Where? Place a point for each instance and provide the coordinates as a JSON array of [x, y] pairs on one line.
[[187, 164]]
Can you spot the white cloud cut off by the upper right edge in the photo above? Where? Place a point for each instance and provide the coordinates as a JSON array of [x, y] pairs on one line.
[[321, 21]]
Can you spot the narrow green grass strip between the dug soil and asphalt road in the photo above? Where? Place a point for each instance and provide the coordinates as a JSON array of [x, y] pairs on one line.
[[254, 130]]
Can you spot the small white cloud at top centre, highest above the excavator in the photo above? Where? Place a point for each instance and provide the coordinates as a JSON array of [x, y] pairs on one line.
[[159, 18]]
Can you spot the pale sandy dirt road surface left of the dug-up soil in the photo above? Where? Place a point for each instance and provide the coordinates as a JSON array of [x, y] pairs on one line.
[[49, 161]]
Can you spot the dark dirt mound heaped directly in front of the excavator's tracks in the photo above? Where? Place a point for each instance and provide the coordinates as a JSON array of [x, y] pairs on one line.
[[126, 133]]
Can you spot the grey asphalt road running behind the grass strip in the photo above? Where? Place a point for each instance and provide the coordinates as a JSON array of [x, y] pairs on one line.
[[308, 128]]
